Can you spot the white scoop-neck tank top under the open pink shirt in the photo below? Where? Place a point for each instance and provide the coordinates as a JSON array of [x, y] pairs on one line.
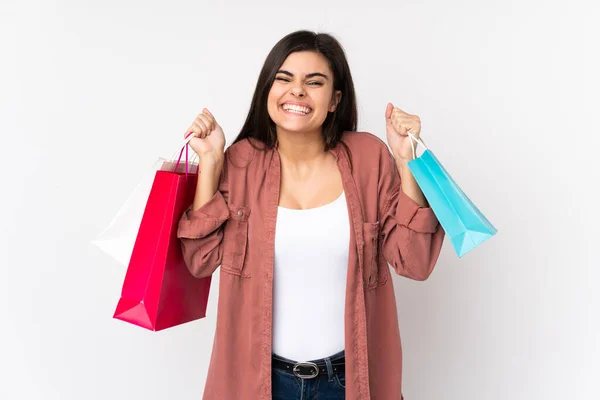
[[309, 288]]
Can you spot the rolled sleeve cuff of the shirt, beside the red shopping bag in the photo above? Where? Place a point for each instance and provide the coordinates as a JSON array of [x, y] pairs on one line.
[[200, 223]]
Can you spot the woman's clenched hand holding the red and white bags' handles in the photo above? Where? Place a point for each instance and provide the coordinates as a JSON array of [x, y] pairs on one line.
[[208, 141]]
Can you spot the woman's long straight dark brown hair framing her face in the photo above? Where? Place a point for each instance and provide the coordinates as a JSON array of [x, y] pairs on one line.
[[259, 124]]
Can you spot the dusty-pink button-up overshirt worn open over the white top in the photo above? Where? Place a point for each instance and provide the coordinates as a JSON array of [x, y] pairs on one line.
[[236, 230]]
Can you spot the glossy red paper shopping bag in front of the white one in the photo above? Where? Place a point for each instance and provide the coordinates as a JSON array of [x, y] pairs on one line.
[[159, 291]]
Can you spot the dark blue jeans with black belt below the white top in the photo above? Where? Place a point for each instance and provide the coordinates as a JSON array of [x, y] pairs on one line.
[[287, 386]]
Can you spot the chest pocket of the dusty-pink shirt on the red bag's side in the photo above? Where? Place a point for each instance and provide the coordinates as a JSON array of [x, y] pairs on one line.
[[235, 241]]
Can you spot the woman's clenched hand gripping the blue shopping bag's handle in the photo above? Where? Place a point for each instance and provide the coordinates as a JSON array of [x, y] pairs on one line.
[[398, 123]]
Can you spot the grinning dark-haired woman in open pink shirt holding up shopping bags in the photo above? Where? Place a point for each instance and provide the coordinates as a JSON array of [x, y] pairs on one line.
[[303, 214]]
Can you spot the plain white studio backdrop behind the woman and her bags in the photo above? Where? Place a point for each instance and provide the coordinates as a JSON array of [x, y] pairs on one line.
[[91, 92]]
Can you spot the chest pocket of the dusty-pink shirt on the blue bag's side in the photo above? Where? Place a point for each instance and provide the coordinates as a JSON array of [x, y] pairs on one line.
[[375, 271]]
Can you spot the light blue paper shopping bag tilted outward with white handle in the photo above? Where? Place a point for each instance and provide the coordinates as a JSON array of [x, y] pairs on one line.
[[462, 221]]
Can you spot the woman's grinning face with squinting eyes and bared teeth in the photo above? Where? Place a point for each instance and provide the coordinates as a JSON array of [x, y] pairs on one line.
[[302, 93]]
